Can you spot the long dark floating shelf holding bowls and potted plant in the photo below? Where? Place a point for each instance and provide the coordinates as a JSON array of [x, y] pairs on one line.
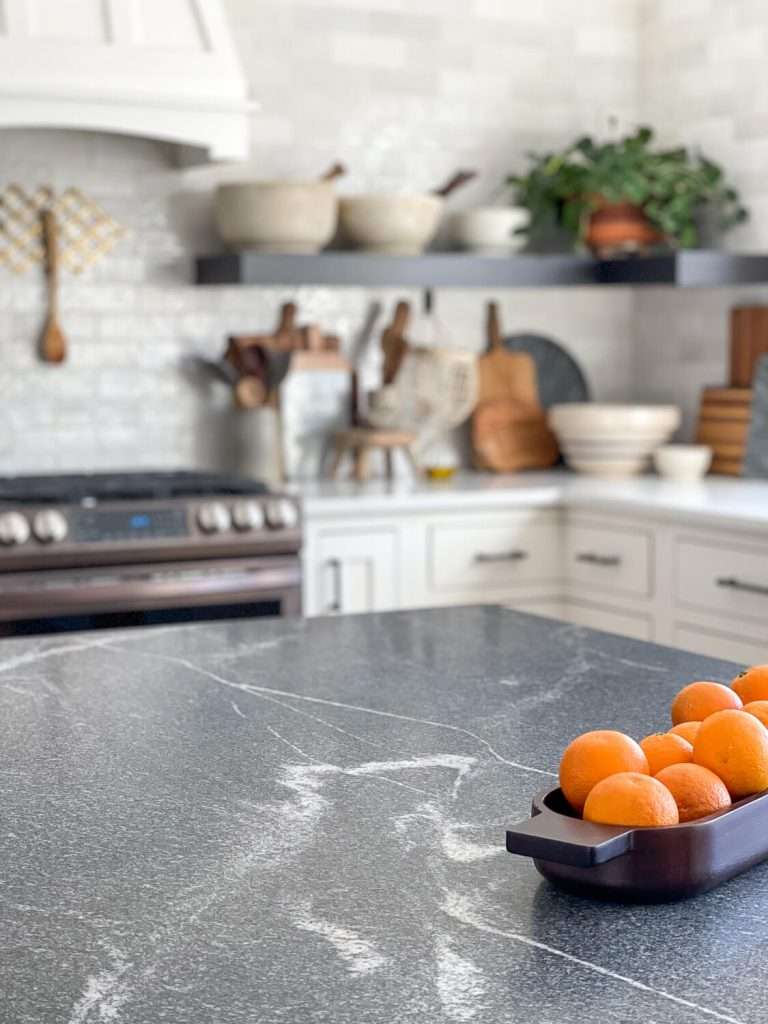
[[688, 269]]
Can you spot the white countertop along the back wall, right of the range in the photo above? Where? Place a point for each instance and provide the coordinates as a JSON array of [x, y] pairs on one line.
[[715, 501]]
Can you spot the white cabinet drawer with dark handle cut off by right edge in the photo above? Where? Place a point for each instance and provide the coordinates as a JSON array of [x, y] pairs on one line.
[[730, 580]]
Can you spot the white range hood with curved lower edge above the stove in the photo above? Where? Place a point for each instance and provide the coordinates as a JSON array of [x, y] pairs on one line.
[[157, 69]]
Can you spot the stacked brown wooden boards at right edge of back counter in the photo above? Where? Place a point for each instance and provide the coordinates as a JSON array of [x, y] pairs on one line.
[[726, 413]]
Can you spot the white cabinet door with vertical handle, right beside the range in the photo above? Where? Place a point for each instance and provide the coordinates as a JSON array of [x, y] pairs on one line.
[[352, 571]]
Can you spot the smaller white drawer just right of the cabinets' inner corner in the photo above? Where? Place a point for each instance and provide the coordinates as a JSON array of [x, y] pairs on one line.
[[609, 559]]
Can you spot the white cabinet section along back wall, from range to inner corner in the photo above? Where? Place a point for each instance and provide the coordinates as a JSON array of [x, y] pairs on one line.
[[433, 559]]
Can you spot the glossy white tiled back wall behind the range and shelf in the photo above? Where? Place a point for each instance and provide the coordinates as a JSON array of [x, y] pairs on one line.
[[404, 93]]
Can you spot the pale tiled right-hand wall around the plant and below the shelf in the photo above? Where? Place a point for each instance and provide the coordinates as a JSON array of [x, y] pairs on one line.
[[703, 82]]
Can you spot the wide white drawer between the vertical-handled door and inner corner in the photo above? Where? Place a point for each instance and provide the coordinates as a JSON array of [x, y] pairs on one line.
[[494, 553]]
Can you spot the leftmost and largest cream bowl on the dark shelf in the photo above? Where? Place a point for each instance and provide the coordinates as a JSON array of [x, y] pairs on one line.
[[277, 217]]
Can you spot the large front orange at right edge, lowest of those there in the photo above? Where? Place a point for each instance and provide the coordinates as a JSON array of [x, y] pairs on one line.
[[735, 746]]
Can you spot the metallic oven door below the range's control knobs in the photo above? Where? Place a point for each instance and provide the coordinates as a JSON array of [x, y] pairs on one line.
[[111, 598]]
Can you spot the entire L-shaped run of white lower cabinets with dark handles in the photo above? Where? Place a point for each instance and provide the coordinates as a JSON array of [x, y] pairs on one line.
[[653, 579]]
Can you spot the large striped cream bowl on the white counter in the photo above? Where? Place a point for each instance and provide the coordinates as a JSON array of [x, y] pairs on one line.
[[612, 440]]
